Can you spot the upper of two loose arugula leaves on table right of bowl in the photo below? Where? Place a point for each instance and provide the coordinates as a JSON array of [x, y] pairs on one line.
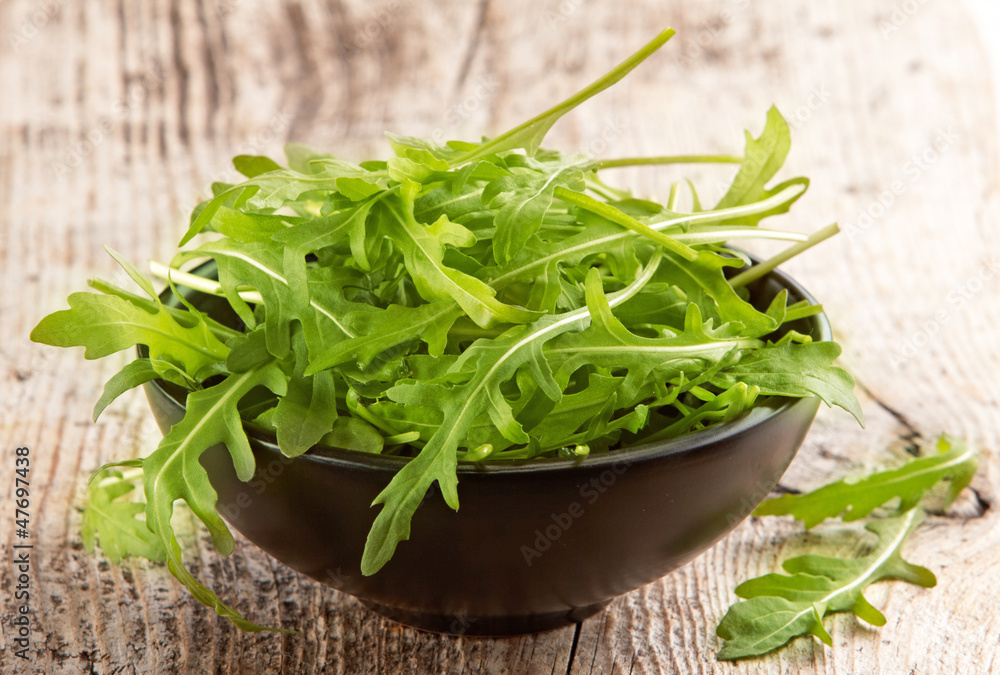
[[852, 500]]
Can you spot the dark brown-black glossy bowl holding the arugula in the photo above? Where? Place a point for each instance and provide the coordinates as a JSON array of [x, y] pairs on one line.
[[536, 544]]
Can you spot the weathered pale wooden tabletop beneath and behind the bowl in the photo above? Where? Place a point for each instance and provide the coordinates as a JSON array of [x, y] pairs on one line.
[[116, 116]]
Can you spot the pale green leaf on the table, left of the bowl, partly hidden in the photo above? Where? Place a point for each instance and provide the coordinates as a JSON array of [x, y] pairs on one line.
[[115, 522]]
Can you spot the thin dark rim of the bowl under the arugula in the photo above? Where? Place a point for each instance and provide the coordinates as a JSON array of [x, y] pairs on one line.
[[767, 408]]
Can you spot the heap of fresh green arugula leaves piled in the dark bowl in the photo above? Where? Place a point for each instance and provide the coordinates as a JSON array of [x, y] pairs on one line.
[[467, 302]]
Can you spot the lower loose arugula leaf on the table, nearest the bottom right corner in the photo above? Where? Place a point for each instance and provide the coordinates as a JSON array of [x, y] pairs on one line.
[[781, 607]]
